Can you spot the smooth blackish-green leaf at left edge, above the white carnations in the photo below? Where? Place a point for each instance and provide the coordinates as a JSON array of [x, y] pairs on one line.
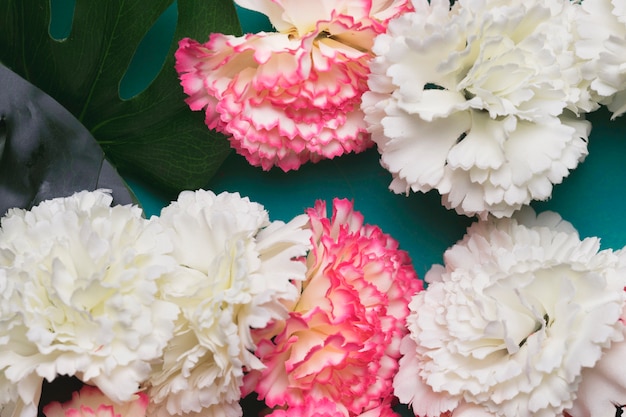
[[44, 151]]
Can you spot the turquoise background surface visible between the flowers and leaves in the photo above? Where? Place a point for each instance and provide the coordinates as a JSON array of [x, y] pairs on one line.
[[592, 197]]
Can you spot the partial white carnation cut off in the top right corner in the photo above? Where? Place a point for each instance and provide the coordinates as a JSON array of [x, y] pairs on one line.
[[602, 29]]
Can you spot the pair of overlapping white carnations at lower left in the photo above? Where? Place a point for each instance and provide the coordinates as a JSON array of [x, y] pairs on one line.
[[125, 303]]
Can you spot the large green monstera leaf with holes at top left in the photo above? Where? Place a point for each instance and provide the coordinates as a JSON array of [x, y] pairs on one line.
[[153, 134]]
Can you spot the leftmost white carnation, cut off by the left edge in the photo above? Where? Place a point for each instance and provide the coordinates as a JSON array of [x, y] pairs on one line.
[[79, 286]]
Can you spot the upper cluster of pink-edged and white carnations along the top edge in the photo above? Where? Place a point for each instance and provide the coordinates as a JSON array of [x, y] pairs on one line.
[[481, 100]]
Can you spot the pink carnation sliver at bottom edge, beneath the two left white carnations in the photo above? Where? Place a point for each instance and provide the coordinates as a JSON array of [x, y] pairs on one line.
[[91, 402]]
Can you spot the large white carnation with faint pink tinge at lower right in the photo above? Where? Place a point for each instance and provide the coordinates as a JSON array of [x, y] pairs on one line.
[[521, 308]]
